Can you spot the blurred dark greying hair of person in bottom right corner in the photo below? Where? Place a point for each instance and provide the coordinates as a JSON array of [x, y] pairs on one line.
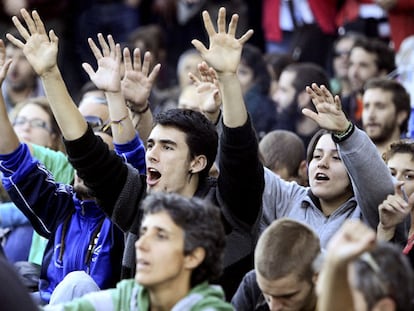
[[396, 277]]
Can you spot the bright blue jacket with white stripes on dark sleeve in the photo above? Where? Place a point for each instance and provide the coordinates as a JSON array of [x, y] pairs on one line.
[[80, 235]]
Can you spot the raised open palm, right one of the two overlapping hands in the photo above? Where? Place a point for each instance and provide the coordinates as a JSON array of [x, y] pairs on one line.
[[138, 80]]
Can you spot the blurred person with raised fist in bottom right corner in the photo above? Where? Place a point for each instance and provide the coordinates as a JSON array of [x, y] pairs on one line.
[[360, 274]]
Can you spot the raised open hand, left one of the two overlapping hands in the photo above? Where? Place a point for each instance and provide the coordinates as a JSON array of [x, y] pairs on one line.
[[107, 76]]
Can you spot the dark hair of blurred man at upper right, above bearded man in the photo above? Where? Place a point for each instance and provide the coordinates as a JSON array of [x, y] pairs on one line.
[[385, 56]]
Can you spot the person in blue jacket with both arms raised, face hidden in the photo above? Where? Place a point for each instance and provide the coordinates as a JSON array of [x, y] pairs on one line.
[[59, 211]]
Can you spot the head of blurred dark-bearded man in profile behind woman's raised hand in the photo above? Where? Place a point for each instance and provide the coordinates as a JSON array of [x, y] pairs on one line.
[[291, 98]]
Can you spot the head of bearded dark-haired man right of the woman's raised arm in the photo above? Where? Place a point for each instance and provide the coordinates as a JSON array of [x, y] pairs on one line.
[[386, 112]]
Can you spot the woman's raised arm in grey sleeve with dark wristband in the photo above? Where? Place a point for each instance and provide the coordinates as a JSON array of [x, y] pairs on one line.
[[371, 179]]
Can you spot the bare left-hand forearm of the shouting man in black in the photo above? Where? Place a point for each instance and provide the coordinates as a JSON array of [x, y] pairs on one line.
[[70, 120]]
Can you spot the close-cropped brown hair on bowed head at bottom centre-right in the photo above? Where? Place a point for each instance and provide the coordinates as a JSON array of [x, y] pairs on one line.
[[286, 247]]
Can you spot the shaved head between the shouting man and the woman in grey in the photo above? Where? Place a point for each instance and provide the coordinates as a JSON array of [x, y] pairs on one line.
[[288, 162]]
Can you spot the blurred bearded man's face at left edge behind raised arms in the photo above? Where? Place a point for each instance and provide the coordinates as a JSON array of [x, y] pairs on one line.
[[21, 81]]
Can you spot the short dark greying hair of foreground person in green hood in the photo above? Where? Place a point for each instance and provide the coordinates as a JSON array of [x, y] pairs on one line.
[[201, 222]]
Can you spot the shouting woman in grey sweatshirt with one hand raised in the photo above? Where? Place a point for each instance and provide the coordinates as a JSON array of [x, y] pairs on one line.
[[347, 177]]
